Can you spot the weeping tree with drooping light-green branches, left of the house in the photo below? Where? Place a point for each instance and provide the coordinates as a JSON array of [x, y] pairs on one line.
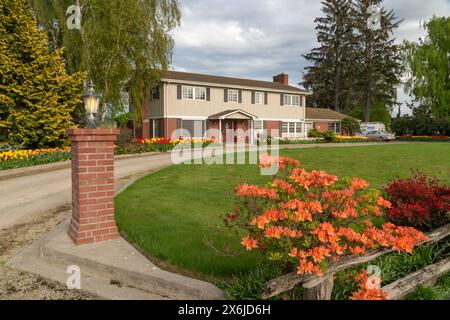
[[123, 45]]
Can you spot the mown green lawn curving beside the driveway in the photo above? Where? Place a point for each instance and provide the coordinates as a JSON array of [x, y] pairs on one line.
[[175, 215]]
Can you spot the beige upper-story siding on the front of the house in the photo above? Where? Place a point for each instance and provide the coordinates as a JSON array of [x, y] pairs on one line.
[[175, 108]]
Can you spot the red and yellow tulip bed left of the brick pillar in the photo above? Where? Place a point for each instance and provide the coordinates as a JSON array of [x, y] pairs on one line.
[[28, 158]]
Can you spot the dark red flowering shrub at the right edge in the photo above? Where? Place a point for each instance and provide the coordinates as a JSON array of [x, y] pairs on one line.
[[419, 202]]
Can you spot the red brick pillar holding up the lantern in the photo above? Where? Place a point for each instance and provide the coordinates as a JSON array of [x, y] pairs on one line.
[[92, 185]]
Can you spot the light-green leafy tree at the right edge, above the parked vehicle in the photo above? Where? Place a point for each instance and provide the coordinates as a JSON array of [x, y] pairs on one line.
[[428, 66]]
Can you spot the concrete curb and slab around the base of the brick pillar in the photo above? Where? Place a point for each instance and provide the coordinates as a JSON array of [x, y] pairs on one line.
[[113, 261]]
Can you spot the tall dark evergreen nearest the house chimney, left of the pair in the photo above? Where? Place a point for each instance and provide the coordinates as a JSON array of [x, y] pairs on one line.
[[330, 76]]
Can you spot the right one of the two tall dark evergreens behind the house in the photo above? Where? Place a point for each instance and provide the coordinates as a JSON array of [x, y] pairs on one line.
[[377, 58]]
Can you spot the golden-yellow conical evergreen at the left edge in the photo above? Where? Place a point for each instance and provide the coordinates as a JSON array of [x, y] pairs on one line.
[[37, 96]]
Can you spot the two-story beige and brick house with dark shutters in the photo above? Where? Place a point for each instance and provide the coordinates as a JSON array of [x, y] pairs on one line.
[[225, 107]]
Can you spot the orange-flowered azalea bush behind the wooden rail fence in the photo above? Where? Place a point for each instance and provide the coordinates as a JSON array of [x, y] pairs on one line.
[[304, 220]]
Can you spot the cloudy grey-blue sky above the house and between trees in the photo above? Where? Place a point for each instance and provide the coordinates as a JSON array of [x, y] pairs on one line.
[[260, 38]]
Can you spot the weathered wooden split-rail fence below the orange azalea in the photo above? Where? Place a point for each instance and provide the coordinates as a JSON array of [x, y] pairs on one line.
[[319, 288]]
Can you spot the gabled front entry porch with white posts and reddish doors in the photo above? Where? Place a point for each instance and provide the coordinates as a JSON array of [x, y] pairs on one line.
[[234, 126]]
